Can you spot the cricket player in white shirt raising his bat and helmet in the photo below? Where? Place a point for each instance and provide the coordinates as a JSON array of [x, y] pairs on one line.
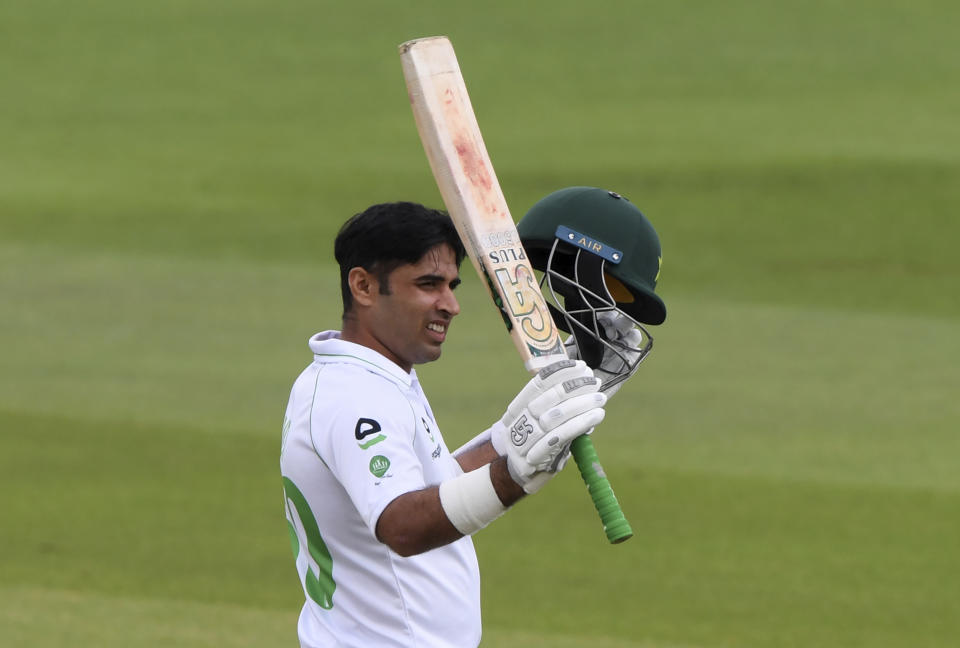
[[380, 512]]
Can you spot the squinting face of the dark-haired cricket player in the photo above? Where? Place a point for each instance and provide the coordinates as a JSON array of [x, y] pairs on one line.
[[411, 322]]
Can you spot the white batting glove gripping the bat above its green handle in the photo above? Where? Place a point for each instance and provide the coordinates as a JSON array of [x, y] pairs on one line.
[[559, 404]]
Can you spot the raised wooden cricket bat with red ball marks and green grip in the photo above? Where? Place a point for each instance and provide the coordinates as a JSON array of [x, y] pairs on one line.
[[473, 197]]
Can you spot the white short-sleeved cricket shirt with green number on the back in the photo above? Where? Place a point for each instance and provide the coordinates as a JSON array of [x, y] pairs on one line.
[[358, 433]]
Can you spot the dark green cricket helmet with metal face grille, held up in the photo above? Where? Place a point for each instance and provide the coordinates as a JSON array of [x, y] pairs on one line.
[[598, 253]]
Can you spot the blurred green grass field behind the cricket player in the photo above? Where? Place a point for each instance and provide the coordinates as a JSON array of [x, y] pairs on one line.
[[172, 174]]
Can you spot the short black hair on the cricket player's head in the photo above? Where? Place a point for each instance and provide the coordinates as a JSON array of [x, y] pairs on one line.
[[385, 236]]
